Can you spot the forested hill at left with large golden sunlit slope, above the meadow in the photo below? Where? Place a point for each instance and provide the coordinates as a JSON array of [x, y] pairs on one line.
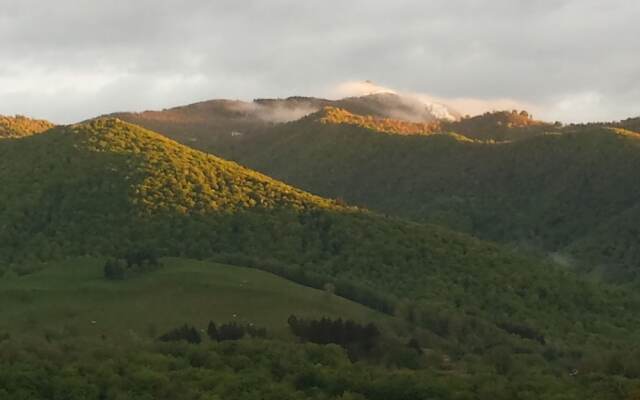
[[111, 186]]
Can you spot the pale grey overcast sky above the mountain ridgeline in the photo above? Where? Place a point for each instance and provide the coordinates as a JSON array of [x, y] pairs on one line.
[[569, 60]]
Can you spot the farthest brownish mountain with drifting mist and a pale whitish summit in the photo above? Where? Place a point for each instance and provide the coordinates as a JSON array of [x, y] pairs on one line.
[[222, 123]]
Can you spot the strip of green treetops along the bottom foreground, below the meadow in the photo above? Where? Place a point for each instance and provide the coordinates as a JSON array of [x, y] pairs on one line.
[[94, 369]]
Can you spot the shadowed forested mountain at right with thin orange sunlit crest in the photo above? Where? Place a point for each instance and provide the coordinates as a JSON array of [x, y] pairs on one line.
[[555, 189]]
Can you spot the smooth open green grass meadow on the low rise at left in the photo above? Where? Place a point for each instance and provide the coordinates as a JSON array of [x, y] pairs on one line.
[[73, 298]]
